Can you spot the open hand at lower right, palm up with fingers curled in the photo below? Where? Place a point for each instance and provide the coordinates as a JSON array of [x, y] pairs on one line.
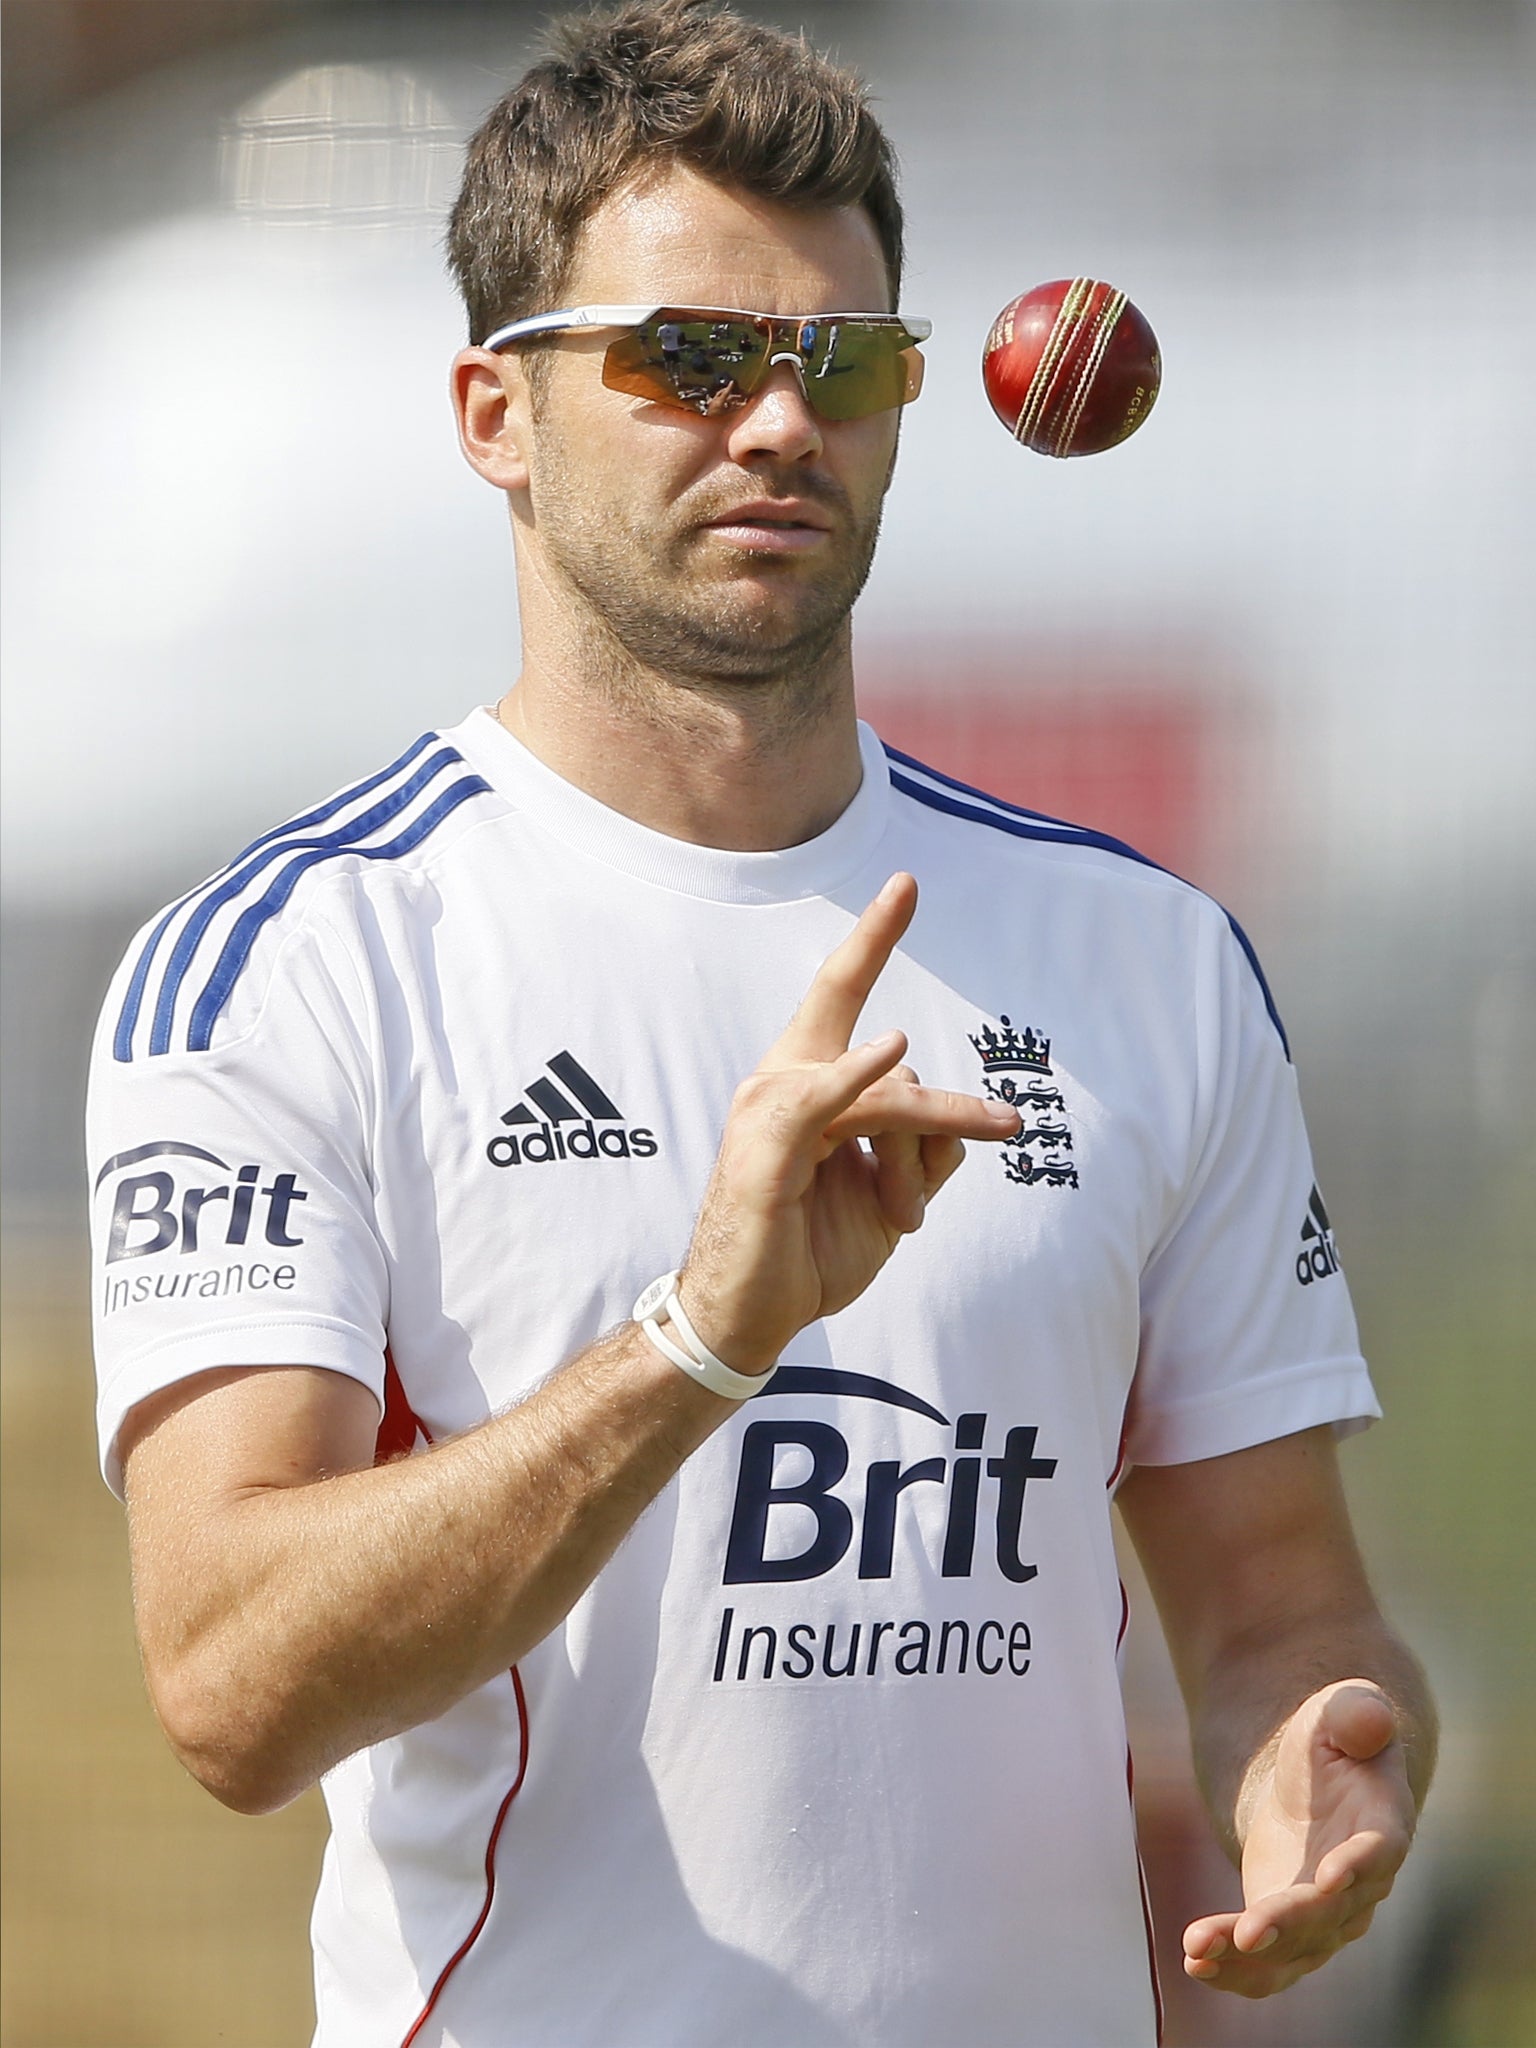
[[1330, 1822]]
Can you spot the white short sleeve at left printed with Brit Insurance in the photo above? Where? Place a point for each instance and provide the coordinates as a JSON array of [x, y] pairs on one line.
[[230, 1191]]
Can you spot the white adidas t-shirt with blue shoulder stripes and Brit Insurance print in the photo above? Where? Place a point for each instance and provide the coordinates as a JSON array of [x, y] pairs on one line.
[[833, 1752]]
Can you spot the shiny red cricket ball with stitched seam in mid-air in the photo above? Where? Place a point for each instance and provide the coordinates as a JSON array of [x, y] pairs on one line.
[[1072, 368]]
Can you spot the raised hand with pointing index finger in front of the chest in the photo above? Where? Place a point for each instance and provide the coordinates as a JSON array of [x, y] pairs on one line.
[[798, 1215]]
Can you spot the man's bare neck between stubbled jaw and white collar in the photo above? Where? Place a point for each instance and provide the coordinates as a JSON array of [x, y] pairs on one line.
[[746, 765]]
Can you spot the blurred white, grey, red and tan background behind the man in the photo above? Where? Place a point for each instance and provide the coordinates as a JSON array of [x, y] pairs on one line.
[[1283, 640]]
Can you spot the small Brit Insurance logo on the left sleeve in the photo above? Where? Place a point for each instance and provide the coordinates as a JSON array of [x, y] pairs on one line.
[[191, 1226]]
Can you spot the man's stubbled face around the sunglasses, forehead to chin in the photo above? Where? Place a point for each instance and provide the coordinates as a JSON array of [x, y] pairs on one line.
[[720, 548]]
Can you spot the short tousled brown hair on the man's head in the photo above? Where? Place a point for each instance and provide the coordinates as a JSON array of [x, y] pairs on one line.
[[656, 83]]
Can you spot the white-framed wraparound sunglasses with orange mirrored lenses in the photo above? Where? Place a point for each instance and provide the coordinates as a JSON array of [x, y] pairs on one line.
[[712, 361]]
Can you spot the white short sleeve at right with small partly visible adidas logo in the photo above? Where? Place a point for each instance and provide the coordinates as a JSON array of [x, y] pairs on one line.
[[1246, 1322]]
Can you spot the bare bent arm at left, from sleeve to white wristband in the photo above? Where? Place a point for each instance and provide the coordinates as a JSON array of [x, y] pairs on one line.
[[331, 1615]]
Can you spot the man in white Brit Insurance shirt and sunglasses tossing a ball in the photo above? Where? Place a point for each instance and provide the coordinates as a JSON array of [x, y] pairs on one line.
[[650, 1713]]
